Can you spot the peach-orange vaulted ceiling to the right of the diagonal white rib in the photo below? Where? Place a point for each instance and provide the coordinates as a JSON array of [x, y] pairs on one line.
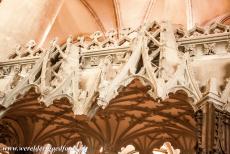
[[86, 16]]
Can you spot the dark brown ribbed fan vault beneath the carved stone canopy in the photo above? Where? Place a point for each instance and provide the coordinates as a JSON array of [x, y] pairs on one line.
[[133, 117]]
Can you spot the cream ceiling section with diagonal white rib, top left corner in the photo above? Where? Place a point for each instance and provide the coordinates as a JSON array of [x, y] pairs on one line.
[[24, 20]]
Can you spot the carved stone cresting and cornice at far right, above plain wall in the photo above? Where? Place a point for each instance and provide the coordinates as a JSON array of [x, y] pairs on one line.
[[212, 39]]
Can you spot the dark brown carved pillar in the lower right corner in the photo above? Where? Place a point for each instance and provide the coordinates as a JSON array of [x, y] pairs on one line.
[[212, 129]]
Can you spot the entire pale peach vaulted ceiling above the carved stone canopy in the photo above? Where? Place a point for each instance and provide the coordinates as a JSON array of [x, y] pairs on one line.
[[43, 20]]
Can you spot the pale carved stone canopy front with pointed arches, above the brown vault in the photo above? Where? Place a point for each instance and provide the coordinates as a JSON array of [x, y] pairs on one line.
[[149, 53]]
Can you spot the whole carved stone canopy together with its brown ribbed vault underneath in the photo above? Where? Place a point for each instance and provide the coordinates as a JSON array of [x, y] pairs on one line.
[[141, 88]]
